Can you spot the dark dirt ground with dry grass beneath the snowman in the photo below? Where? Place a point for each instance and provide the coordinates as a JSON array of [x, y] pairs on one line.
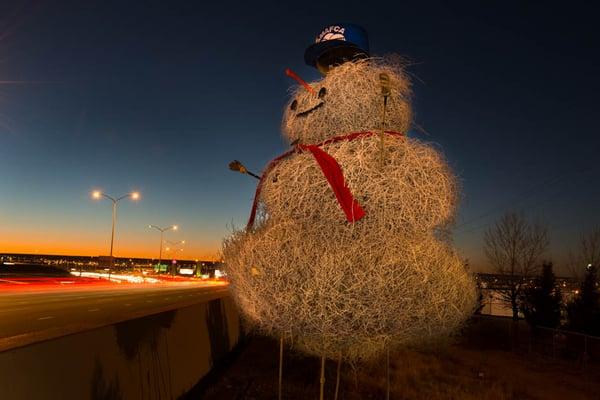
[[459, 371]]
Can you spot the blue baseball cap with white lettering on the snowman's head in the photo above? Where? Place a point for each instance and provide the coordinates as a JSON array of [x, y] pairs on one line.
[[346, 40]]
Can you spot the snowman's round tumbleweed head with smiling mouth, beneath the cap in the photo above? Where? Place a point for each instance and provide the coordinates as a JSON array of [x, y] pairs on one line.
[[350, 99]]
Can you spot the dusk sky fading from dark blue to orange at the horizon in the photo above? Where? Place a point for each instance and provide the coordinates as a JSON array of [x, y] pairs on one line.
[[160, 97]]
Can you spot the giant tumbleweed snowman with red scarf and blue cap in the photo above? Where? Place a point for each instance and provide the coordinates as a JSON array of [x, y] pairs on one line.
[[347, 249]]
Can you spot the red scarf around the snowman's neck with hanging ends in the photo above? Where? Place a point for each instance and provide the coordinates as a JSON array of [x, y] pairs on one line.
[[330, 168]]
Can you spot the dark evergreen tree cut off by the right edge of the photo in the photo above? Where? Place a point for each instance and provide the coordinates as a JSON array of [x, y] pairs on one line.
[[584, 310]]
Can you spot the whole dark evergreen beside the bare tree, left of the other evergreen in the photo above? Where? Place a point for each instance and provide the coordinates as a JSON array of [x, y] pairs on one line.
[[541, 302]]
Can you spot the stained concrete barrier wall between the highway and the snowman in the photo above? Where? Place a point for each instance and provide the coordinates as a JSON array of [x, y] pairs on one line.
[[160, 356]]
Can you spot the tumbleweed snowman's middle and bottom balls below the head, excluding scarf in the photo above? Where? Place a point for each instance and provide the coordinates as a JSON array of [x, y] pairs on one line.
[[354, 289]]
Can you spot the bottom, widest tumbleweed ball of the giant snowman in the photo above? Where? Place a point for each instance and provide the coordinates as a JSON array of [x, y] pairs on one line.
[[334, 293]]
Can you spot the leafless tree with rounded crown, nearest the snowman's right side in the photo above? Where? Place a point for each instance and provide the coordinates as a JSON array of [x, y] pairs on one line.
[[514, 246]]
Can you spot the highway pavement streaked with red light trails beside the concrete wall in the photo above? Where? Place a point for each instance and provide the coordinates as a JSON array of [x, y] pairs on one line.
[[32, 316]]
